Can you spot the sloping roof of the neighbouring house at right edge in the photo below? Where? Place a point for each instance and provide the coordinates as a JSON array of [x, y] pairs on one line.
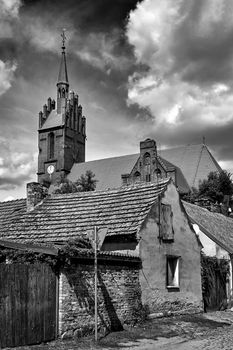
[[216, 226]]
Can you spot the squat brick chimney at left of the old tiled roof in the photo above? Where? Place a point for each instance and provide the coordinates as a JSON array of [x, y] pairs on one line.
[[35, 194]]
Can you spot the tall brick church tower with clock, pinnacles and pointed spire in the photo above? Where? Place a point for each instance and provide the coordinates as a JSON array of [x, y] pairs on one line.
[[62, 130]]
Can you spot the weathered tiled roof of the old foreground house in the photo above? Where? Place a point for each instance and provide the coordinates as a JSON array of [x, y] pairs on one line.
[[61, 217]]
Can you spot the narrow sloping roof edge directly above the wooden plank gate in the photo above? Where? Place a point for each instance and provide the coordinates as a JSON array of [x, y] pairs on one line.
[[25, 246]]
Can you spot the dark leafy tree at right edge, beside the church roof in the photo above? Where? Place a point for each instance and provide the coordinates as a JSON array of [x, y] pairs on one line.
[[216, 186]]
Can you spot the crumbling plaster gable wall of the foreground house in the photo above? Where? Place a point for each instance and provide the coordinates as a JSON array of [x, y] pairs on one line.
[[154, 252]]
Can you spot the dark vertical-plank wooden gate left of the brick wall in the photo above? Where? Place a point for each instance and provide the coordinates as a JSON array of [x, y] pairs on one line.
[[28, 296]]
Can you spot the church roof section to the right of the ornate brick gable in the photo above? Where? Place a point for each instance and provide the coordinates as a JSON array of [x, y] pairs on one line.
[[195, 162]]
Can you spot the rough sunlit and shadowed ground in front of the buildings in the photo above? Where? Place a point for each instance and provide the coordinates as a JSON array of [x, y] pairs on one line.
[[202, 331]]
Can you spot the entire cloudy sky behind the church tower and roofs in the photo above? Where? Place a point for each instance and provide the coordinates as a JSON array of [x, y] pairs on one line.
[[149, 68]]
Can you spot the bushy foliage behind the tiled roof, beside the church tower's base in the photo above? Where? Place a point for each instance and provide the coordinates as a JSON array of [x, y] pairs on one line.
[[84, 183]]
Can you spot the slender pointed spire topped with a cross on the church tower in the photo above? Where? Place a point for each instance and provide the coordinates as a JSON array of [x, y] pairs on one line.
[[63, 83]]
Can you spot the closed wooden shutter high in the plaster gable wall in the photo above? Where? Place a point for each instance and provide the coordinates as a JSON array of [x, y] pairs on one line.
[[166, 223]]
